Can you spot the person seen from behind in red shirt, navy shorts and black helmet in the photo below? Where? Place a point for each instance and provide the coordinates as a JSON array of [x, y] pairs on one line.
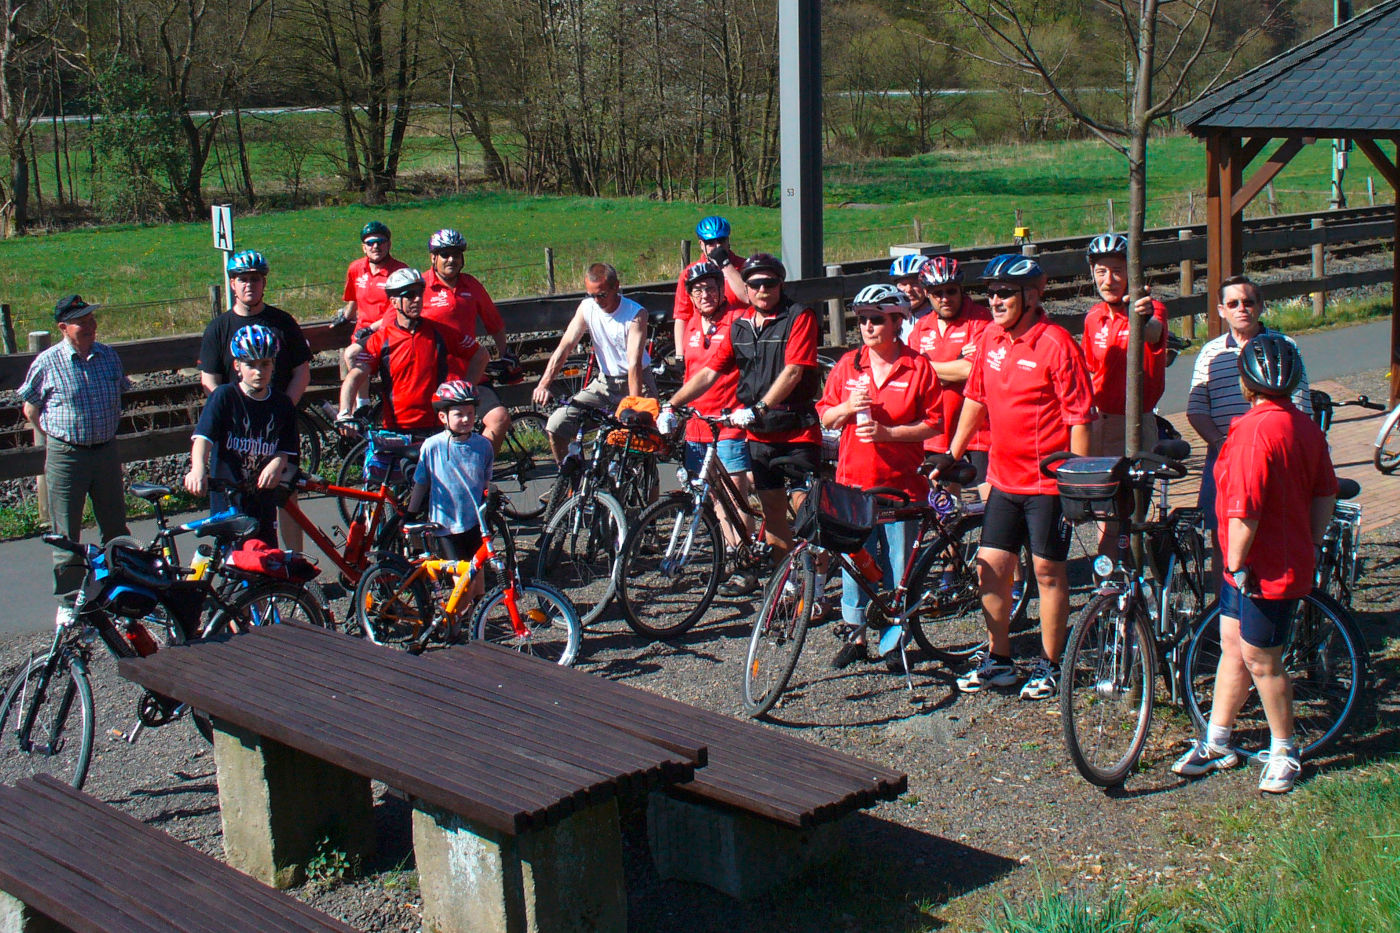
[[1276, 495]]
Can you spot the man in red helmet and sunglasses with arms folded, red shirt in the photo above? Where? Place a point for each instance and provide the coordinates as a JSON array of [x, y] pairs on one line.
[[948, 338]]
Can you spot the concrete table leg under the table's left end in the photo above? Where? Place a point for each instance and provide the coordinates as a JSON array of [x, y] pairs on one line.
[[279, 805]]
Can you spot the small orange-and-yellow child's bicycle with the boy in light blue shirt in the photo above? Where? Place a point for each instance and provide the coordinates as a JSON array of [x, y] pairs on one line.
[[402, 603]]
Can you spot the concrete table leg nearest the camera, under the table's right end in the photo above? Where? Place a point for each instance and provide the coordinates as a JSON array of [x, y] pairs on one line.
[[568, 876]]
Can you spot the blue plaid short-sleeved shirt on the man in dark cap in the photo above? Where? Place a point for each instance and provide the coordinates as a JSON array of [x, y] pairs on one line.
[[79, 401]]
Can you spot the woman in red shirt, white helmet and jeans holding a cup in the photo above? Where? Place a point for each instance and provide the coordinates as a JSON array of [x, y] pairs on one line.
[[884, 399]]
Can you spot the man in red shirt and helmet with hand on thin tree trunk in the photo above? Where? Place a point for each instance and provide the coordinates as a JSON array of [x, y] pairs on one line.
[[1107, 348]]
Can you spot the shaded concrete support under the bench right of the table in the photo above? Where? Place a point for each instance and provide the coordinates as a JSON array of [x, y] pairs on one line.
[[731, 852]]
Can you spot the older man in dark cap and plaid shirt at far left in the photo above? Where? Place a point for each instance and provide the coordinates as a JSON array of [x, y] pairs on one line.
[[73, 396]]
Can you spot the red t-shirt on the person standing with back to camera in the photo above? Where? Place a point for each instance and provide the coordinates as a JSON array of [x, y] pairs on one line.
[[1273, 464]]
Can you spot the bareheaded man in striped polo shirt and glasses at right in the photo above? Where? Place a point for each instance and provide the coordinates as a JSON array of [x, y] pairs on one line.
[[1216, 399]]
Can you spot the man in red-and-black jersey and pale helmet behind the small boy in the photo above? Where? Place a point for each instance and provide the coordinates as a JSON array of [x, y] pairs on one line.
[[412, 358]]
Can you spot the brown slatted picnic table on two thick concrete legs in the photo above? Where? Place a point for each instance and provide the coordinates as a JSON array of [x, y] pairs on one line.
[[516, 820]]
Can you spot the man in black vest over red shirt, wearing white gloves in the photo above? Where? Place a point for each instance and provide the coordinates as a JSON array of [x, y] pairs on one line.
[[775, 351]]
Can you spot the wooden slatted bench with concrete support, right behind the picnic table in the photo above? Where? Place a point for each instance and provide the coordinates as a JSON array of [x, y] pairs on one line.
[[764, 809]]
